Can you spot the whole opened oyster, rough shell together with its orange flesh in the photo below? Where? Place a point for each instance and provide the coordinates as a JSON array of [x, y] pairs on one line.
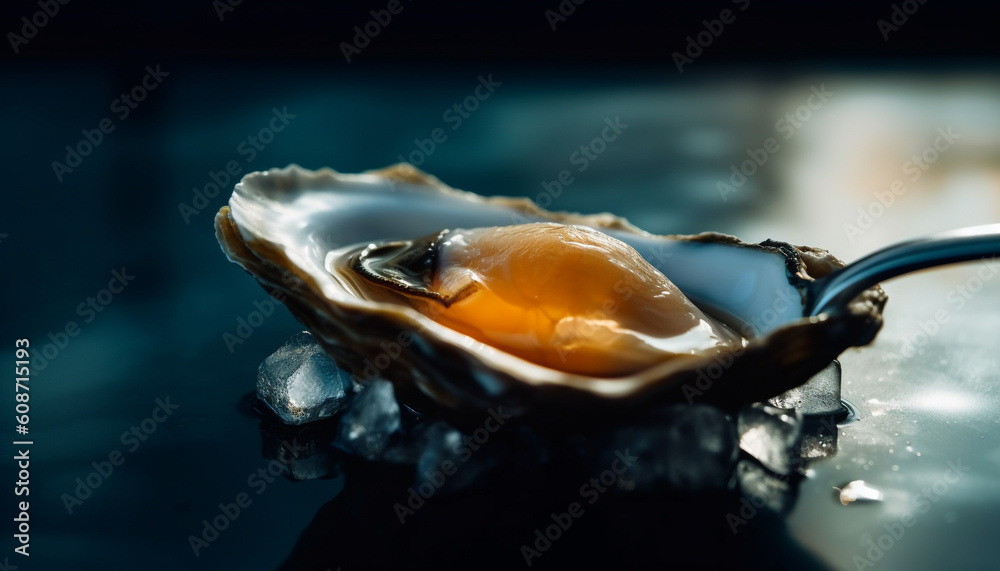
[[377, 267]]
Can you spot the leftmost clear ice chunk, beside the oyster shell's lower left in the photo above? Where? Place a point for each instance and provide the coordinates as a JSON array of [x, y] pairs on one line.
[[301, 383]]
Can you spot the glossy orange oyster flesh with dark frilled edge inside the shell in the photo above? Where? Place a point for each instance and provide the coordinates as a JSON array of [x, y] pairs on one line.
[[566, 297]]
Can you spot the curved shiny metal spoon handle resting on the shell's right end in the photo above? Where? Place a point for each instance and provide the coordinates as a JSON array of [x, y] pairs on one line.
[[839, 288]]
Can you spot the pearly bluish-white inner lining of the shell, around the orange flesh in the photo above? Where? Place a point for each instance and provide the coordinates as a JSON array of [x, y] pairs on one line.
[[324, 211]]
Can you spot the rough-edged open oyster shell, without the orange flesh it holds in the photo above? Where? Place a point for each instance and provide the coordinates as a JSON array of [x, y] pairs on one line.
[[283, 225]]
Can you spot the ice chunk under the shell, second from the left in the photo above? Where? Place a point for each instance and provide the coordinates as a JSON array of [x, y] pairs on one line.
[[370, 422]]
